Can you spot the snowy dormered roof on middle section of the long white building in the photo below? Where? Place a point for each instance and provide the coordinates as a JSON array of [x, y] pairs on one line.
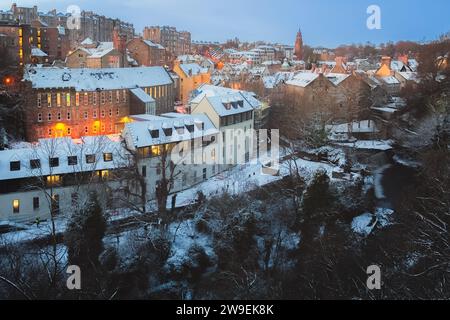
[[140, 131]]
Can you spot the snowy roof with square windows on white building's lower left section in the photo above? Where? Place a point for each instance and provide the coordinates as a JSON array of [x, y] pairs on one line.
[[62, 148]]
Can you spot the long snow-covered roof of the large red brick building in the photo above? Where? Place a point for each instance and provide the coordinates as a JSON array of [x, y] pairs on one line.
[[93, 79]]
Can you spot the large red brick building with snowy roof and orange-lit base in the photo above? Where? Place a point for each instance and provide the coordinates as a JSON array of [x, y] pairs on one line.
[[86, 102]]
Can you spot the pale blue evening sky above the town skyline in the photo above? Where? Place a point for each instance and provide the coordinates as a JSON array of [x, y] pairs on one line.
[[323, 22]]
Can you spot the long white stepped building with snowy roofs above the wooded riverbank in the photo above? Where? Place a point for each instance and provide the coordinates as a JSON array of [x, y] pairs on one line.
[[54, 175]]
